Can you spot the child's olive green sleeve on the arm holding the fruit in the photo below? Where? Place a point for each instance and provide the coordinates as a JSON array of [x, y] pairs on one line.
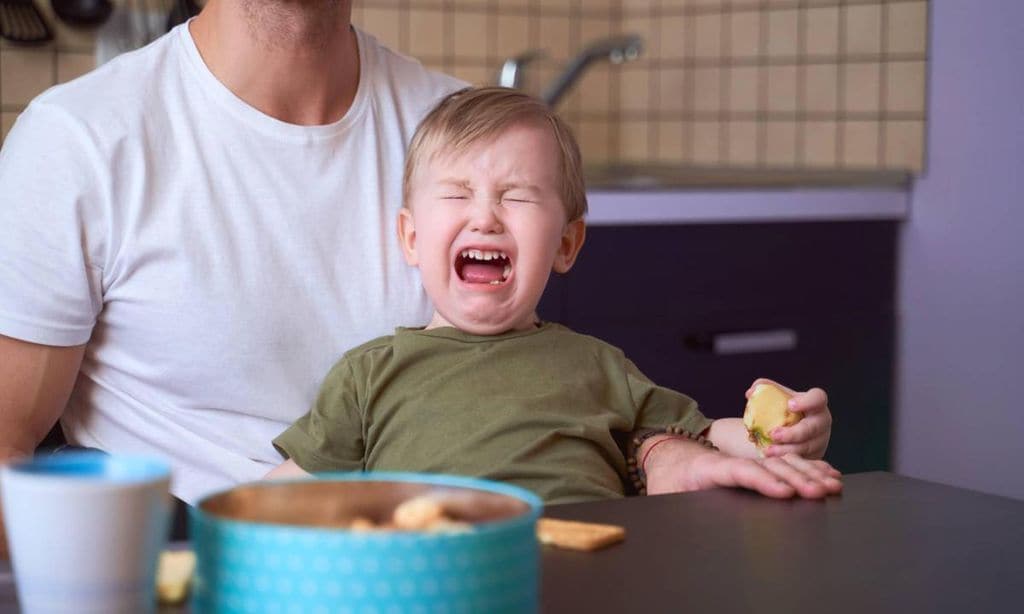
[[660, 408]]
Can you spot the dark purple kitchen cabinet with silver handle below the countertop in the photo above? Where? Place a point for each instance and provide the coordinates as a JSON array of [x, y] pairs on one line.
[[706, 310]]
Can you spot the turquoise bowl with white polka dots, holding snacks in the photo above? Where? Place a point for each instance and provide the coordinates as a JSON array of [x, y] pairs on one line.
[[284, 547]]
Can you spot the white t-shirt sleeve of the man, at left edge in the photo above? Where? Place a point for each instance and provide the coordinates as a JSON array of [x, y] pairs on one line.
[[53, 229]]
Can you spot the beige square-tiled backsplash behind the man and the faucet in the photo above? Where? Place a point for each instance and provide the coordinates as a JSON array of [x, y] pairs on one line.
[[742, 83]]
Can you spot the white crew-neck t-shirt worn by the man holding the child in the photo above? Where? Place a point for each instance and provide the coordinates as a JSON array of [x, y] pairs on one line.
[[217, 260]]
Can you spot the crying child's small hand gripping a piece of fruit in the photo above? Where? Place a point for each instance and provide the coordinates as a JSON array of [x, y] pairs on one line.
[[809, 437]]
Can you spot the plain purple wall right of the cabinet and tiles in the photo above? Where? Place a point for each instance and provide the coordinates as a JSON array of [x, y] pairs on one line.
[[961, 385]]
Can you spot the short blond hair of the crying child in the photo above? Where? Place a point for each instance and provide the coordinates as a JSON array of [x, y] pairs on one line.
[[474, 115]]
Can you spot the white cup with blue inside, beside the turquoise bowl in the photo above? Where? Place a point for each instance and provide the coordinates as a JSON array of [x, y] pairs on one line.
[[86, 531]]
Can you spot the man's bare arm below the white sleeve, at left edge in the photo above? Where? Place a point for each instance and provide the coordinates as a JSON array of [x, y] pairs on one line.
[[35, 383]]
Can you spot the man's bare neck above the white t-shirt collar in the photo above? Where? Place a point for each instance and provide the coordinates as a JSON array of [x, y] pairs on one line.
[[296, 62]]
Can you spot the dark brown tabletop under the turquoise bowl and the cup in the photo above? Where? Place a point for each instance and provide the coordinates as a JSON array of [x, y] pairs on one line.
[[888, 545]]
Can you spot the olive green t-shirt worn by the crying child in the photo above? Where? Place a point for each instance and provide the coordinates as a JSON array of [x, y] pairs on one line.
[[539, 409]]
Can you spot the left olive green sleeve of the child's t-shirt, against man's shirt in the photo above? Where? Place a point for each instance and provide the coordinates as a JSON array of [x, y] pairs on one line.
[[330, 436]]
